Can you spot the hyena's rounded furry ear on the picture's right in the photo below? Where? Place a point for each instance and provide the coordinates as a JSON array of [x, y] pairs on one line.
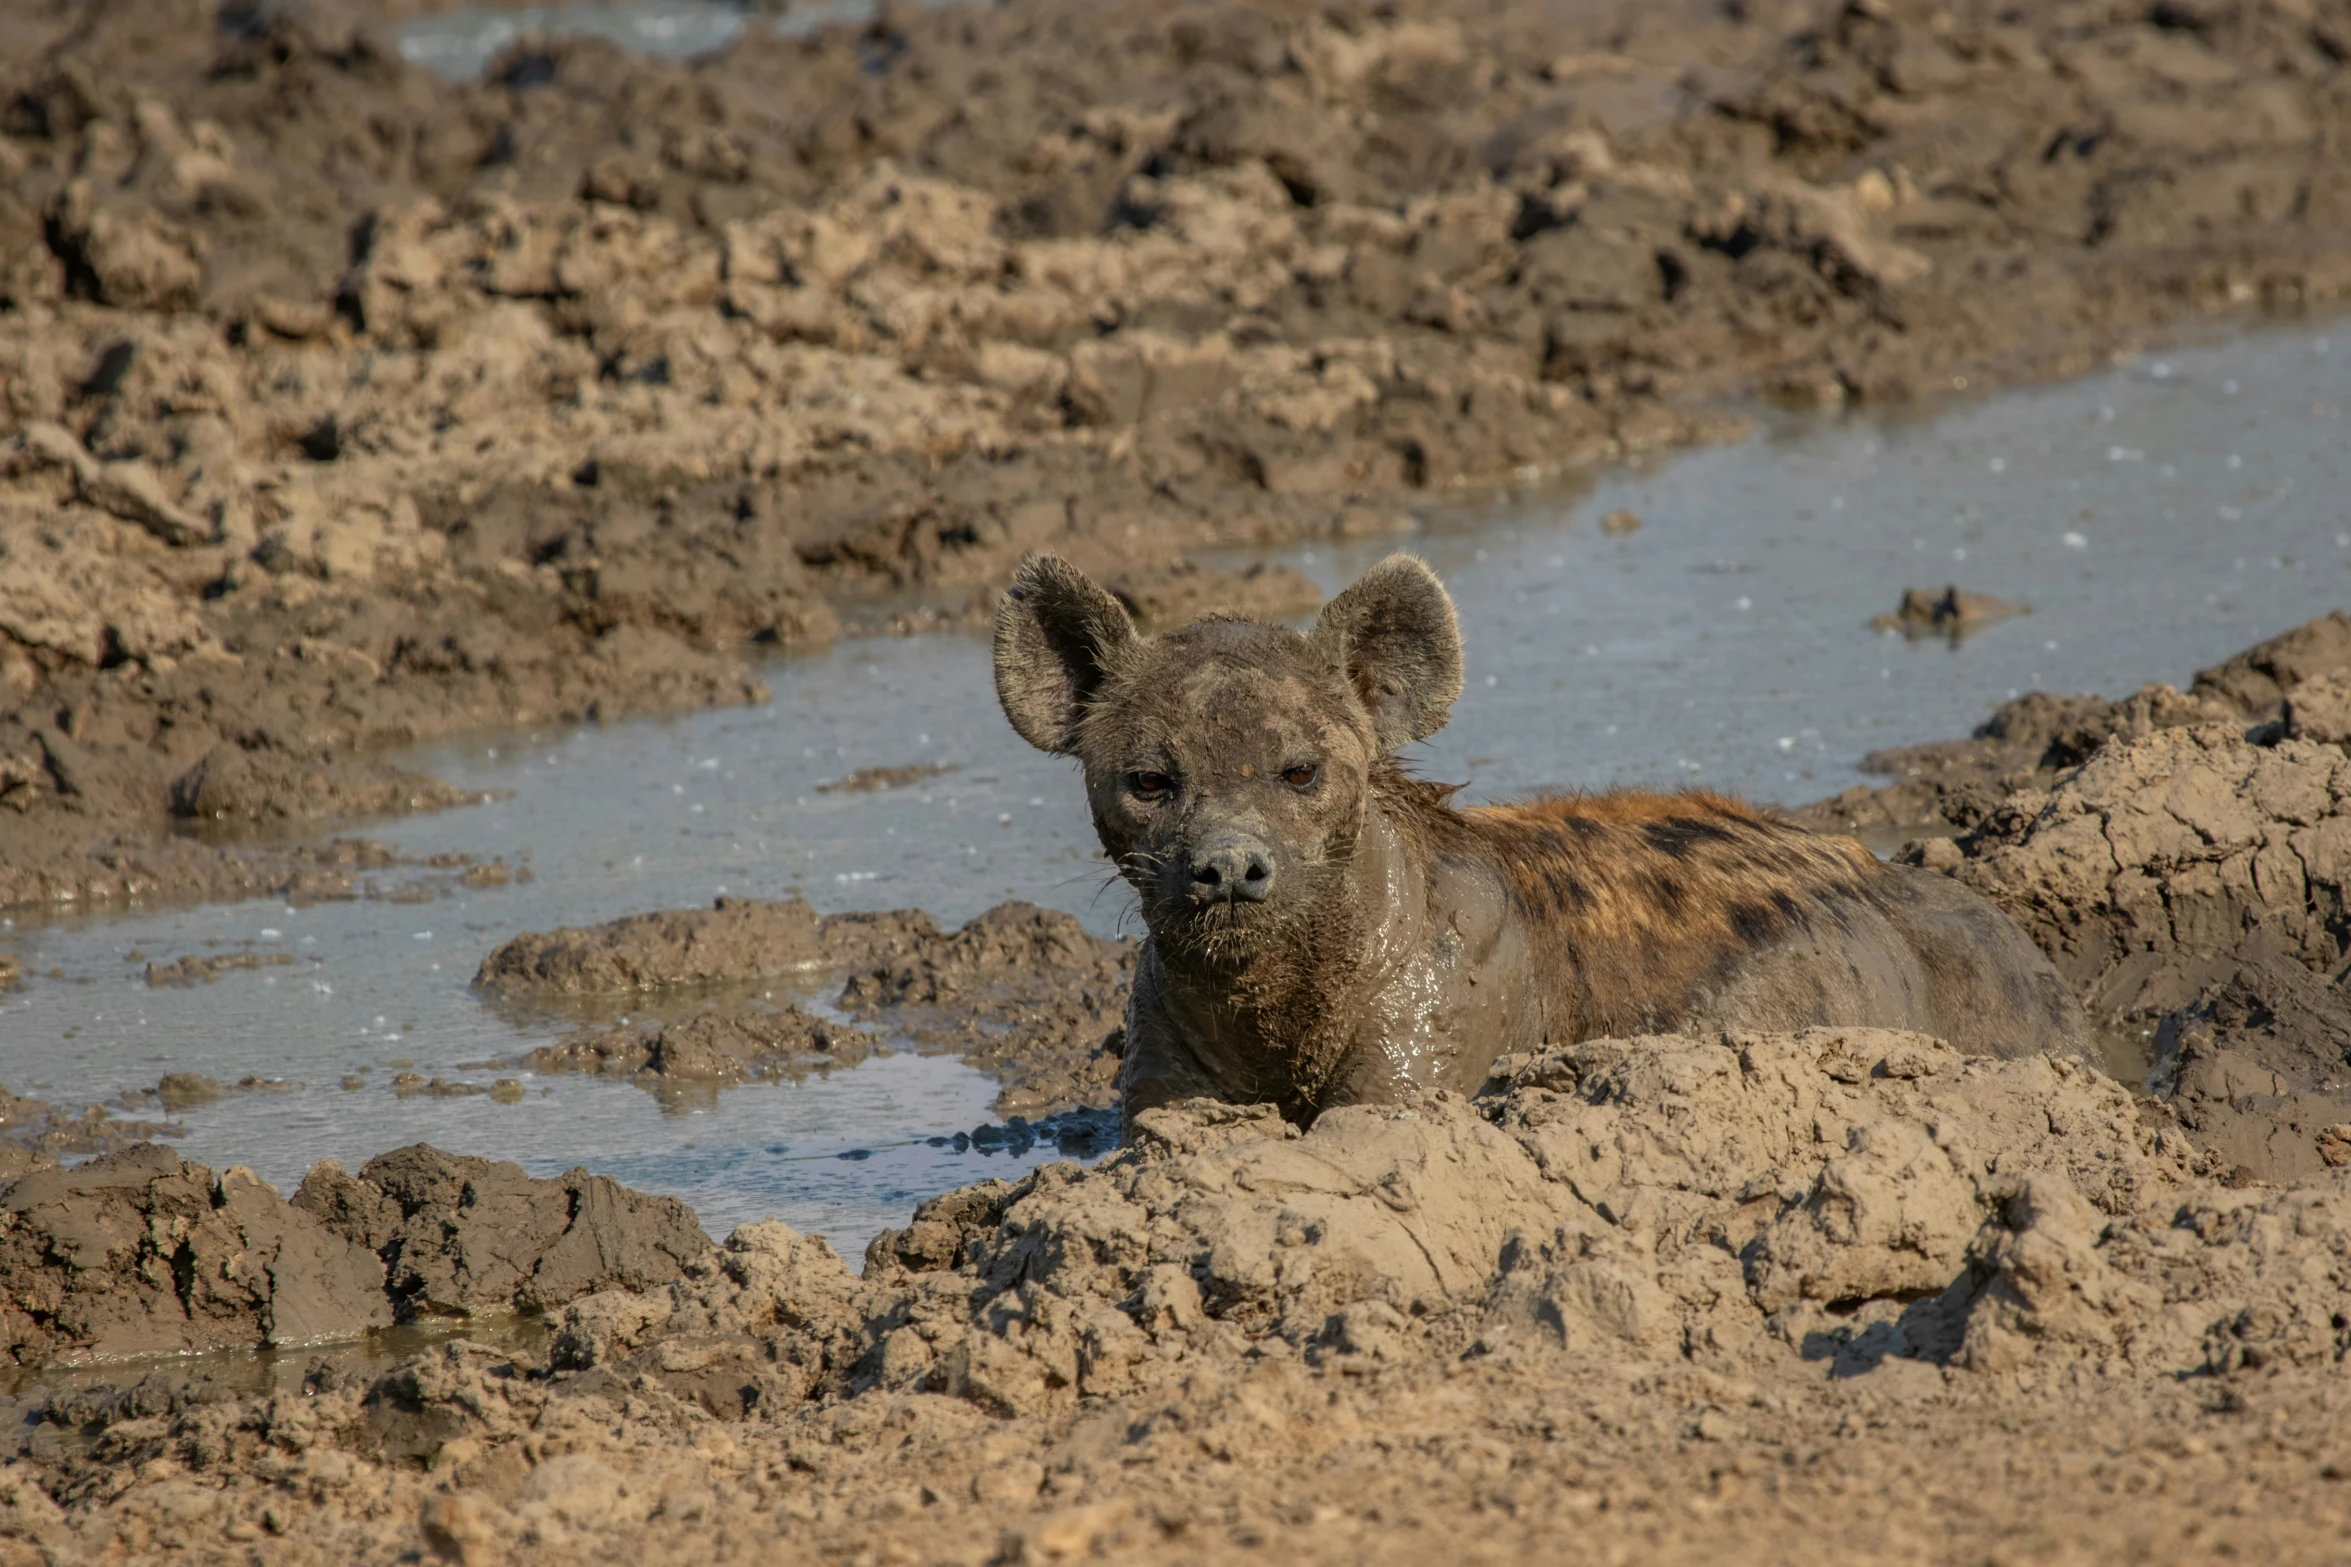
[[1400, 645]]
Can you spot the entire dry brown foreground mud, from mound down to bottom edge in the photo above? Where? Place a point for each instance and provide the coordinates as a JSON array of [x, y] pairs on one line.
[[1837, 1296]]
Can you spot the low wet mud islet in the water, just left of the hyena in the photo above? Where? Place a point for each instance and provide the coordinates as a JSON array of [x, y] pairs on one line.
[[1022, 993]]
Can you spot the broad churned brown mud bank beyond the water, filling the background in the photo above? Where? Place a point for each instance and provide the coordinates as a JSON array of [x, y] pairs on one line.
[[349, 408]]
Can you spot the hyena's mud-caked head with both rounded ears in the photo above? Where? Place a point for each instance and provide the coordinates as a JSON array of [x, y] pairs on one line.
[[1228, 762]]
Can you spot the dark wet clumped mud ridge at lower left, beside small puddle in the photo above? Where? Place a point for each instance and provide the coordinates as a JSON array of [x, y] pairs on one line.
[[140, 1253]]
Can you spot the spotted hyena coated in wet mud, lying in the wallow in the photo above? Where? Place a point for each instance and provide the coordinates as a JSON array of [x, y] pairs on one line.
[[1327, 929]]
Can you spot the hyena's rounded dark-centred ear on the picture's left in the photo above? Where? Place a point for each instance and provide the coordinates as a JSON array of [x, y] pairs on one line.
[[1059, 638]]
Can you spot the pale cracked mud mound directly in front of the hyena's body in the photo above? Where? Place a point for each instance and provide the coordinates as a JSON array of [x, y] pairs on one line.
[[1663, 1197]]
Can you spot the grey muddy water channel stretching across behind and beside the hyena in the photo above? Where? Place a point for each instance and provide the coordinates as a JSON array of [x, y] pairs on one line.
[[2157, 520]]
